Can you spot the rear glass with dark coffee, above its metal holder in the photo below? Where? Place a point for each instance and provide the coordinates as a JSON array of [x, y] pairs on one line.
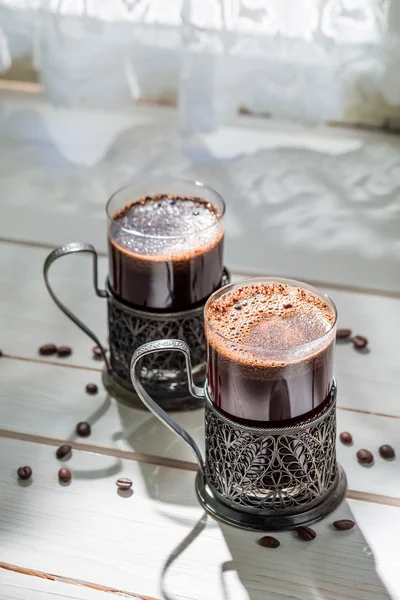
[[176, 261]]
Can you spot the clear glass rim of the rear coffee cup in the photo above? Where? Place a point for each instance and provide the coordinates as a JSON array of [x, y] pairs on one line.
[[193, 182]]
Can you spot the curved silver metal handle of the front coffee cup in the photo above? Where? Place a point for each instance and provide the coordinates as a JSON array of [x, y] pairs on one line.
[[196, 391]]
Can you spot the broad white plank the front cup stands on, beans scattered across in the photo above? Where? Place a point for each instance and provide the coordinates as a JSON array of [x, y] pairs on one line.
[[158, 542]]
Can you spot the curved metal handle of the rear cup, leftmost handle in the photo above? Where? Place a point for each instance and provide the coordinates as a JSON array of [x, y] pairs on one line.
[[62, 251]]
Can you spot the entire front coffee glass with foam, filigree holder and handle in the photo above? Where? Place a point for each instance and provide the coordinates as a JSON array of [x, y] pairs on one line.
[[270, 405]]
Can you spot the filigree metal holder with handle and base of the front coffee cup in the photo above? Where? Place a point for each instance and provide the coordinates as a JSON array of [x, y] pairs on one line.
[[259, 478]]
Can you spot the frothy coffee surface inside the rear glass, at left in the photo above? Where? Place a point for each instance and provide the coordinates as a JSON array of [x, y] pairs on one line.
[[163, 226]]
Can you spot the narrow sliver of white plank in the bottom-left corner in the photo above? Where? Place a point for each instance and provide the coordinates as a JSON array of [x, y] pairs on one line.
[[17, 583]]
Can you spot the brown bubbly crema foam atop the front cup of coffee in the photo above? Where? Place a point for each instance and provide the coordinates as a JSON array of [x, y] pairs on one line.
[[270, 330]]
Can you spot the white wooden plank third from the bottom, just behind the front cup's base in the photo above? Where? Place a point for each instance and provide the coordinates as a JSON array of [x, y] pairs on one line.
[[45, 400]]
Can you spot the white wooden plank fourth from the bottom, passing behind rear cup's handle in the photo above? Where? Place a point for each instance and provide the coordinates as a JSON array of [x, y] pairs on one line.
[[366, 381]]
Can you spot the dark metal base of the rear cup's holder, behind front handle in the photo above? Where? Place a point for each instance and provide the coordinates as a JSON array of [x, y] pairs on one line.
[[130, 397]]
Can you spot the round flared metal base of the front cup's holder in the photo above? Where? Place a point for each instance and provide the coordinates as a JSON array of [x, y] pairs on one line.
[[258, 522]]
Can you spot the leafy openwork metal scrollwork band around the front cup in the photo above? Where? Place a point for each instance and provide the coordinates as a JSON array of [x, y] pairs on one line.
[[271, 470]]
